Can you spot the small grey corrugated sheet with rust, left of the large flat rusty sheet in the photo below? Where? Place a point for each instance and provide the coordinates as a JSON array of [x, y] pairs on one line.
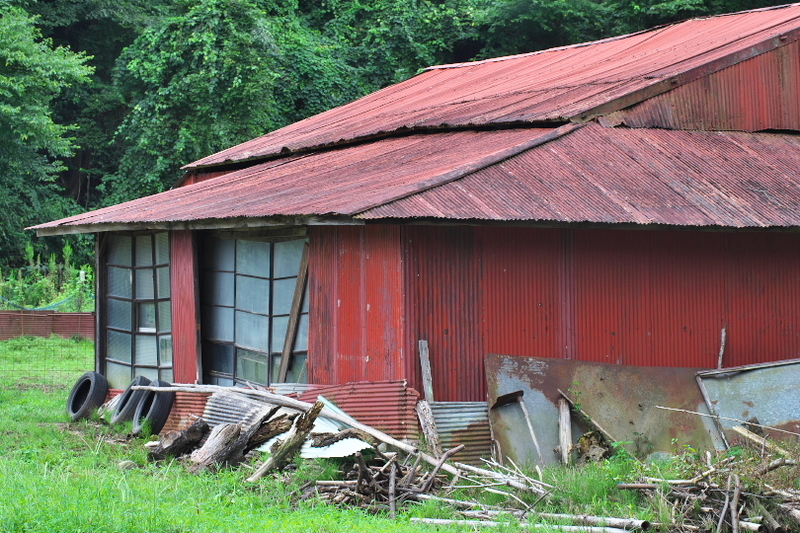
[[464, 423]]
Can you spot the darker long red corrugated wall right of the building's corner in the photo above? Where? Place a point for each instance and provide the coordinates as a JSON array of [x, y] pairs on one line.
[[649, 298]]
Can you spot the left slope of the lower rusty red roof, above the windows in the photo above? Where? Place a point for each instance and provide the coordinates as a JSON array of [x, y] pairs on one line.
[[344, 181]]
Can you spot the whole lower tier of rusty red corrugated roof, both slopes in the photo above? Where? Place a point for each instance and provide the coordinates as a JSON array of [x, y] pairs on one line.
[[588, 174]]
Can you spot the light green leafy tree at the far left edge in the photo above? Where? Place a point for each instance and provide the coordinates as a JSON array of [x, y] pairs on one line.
[[32, 75]]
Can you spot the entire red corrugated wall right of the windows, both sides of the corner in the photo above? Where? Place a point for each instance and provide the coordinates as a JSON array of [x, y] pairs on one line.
[[653, 298]]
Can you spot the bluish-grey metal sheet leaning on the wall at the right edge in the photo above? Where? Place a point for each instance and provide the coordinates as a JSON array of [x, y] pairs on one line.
[[765, 394]]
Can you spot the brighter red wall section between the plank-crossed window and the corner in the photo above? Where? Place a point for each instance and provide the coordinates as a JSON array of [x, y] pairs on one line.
[[355, 292]]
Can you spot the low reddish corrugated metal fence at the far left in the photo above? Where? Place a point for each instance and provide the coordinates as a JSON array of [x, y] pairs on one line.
[[45, 323]]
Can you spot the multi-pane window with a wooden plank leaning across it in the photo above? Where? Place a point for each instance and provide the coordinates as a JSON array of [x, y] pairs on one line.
[[247, 291]]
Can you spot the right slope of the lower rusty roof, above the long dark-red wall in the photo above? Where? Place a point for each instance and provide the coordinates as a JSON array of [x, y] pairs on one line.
[[640, 176]]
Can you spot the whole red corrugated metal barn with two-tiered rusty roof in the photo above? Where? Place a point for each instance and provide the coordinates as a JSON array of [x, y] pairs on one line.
[[620, 201]]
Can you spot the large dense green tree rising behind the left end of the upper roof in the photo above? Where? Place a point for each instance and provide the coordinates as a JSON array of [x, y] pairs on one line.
[[219, 73]]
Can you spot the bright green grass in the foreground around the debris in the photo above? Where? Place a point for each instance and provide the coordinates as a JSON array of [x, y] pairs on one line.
[[63, 476]]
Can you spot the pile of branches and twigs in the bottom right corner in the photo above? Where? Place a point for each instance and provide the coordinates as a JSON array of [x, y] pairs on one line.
[[737, 493]]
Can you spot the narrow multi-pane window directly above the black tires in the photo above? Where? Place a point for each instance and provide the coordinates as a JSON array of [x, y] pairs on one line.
[[138, 316]]
